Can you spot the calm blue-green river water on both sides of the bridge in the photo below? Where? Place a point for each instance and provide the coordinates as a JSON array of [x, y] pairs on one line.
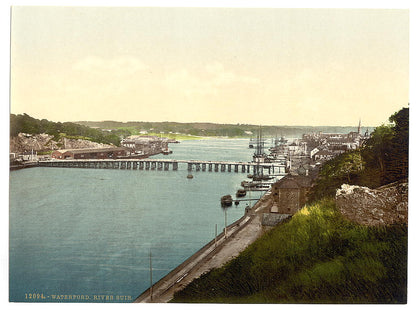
[[89, 232]]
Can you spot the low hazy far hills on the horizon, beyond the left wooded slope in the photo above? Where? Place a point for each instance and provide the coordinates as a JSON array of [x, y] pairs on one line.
[[211, 129]]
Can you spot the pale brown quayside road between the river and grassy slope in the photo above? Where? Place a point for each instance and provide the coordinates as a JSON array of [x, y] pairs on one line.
[[215, 254]]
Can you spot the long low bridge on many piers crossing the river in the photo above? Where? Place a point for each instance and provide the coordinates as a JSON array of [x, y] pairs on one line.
[[275, 168]]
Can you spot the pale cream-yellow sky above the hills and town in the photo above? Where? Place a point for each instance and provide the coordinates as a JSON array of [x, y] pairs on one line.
[[225, 65]]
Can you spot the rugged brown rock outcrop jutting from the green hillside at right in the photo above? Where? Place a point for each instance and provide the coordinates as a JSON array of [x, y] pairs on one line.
[[385, 205]]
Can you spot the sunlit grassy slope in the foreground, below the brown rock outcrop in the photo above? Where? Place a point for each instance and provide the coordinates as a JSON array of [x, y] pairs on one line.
[[317, 257]]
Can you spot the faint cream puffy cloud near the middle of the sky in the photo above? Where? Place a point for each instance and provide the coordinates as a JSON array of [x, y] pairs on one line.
[[210, 81]]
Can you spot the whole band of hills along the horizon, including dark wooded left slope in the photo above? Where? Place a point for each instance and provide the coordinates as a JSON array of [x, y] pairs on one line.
[[111, 132]]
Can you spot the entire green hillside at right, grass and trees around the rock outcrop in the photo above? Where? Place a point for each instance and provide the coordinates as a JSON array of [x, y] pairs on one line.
[[318, 256]]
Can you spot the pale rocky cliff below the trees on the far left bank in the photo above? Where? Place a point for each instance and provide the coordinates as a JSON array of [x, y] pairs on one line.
[[24, 142]]
